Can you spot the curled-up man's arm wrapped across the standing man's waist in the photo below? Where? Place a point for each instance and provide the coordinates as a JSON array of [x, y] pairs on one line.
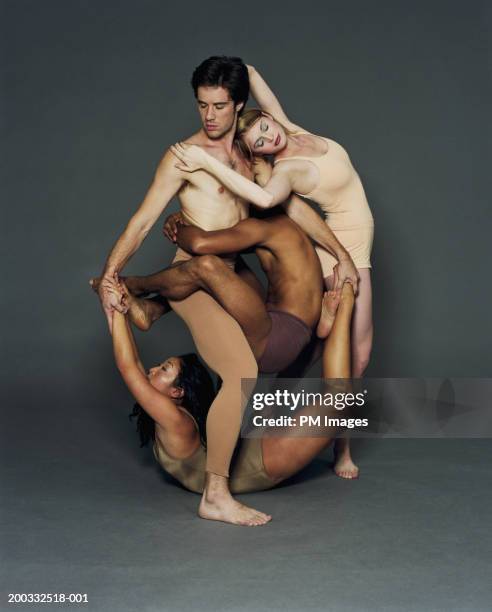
[[243, 235]]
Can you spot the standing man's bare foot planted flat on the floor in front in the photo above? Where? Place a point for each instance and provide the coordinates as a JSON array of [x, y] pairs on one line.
[[217, 504]]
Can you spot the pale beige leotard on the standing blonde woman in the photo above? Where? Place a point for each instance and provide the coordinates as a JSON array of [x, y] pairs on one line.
[[341, 196]]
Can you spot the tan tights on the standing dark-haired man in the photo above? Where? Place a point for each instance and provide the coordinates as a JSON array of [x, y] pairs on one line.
[[222, 345]]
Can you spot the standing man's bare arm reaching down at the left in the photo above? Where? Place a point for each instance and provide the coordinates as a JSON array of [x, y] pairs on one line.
[[167, 182]]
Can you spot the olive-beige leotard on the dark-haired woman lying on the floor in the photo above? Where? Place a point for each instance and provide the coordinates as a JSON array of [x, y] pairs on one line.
[[247, 470]]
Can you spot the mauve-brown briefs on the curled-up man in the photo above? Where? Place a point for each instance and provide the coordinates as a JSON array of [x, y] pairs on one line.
[[287, 337]]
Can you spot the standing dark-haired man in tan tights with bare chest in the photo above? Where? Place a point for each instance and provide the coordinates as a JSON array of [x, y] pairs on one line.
[[221, 89]]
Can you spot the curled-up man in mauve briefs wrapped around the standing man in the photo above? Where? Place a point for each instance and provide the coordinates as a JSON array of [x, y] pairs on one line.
[[278, 331]]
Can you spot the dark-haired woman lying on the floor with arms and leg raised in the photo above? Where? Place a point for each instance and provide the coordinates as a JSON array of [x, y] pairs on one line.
[[174, 397]]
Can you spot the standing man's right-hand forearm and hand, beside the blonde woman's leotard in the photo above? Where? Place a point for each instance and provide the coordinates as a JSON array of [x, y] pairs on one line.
[[312, 224]]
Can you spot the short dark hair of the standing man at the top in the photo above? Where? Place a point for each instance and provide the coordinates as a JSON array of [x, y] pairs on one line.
[[222, 71]]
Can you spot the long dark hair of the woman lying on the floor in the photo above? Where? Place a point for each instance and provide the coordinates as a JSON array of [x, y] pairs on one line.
[[198, 394]]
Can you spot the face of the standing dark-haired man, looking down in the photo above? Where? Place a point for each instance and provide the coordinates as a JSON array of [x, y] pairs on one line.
[[217, 111]]
